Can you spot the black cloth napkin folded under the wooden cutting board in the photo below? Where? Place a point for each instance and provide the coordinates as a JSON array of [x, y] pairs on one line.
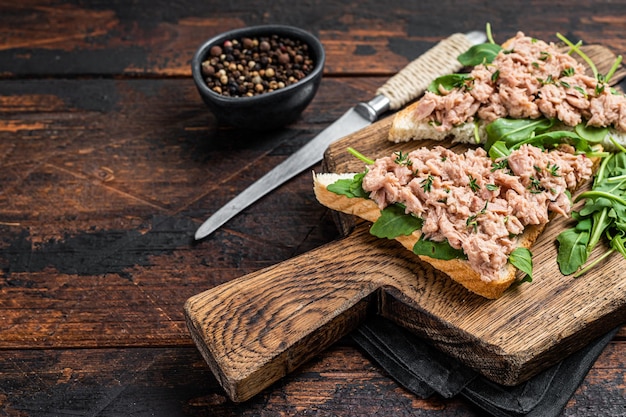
[[424, 371]]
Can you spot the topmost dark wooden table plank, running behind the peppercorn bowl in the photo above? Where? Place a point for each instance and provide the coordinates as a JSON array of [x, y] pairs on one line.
[[374, 38]]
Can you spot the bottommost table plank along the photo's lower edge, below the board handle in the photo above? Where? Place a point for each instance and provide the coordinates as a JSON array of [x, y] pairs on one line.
[[172, 382]]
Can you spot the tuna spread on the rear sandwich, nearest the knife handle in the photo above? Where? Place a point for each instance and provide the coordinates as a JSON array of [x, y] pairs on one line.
[[529, 79]]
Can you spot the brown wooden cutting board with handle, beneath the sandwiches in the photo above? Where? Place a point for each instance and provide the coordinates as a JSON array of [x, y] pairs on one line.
[[258, 328]]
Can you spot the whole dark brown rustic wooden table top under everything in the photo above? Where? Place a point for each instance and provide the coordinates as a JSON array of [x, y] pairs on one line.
[[110, 161]]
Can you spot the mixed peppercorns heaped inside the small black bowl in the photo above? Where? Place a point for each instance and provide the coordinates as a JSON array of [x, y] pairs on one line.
[[251, 66]]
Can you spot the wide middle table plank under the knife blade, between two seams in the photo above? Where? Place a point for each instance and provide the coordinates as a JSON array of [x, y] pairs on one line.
[[105, 195]]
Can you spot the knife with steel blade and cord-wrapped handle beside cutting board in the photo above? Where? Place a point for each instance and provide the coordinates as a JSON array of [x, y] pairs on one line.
[[405, 86]]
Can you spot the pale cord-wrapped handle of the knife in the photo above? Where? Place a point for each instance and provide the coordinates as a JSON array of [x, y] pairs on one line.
[[414, 79]]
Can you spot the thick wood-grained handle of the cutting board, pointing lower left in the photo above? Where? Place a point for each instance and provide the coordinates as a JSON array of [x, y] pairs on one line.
[[257, 328]]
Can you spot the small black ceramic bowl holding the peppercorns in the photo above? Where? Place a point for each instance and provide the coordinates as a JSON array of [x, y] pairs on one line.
[[269, 110]]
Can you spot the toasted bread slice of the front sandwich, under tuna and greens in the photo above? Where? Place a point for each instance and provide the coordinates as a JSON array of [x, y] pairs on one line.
[[457, 269]]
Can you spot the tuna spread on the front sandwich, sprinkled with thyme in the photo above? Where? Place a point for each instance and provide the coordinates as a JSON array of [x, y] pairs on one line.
[[476, 204]]
